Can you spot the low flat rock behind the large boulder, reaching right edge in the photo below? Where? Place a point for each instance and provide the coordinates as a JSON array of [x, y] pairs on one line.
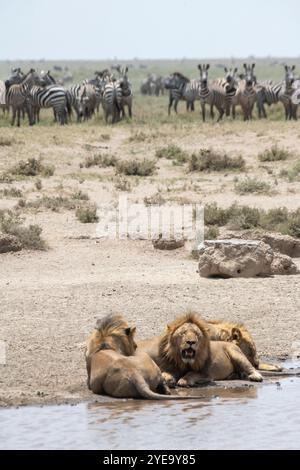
[[281, 243]]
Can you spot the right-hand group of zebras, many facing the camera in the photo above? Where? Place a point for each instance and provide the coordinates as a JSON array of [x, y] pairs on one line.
[[233, 90]]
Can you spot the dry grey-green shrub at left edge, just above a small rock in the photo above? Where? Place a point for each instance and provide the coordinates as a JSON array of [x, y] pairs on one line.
[[28, 237]]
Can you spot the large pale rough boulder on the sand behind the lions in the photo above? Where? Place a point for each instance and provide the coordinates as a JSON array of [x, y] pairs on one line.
[[235, 259]]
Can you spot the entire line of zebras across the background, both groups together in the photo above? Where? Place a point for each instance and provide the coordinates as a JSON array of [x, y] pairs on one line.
[[27, 94]]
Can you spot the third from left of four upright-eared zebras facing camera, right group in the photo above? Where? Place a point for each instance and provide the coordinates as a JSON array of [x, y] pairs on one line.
[[246, 95]]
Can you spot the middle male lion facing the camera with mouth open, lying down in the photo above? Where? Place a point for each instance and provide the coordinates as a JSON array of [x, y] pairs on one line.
[[187, 357]]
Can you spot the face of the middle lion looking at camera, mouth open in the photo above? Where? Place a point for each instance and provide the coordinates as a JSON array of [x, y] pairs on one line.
[[188, 340]]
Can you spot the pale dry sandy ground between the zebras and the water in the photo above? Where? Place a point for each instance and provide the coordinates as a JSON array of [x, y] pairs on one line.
[[49, 300]]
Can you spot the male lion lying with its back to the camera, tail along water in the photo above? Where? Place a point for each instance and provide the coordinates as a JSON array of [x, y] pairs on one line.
[[114, 369]]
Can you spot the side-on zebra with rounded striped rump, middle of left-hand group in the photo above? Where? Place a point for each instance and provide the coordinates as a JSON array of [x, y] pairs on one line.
[[49, 96]]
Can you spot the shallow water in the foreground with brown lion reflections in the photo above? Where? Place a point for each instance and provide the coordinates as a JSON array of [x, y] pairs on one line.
[[267, 417]]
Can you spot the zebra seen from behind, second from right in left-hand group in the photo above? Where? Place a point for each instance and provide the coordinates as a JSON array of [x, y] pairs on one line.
[[113, 101]]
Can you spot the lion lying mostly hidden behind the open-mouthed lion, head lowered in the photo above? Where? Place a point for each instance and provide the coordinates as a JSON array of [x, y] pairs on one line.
[[239, 335]]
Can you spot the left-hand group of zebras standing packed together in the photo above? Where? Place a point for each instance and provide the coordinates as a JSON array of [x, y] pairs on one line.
[[27, 94]]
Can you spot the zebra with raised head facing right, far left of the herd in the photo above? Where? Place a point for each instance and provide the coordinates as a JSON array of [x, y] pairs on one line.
[[17, 96]]
